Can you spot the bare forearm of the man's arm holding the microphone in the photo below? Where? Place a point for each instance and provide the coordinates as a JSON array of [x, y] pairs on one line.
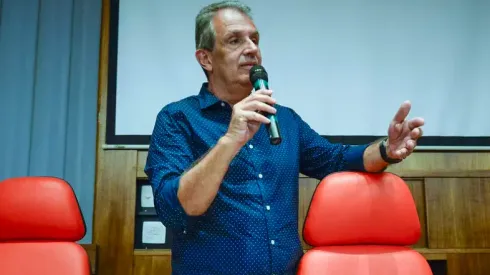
[[200, 184]]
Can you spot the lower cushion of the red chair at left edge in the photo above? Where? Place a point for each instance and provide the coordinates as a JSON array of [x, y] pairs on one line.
[[43, 258]]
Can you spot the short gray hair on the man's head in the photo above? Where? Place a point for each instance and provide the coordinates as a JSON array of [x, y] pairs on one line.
[[205, 32]]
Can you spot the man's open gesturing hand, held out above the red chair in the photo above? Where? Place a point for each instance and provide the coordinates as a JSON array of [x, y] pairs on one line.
[[403, 133]]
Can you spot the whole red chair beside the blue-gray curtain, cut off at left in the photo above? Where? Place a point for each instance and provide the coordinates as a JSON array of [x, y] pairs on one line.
[[40, 221]]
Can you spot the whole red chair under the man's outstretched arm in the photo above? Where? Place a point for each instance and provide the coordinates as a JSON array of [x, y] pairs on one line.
[[362, 224]]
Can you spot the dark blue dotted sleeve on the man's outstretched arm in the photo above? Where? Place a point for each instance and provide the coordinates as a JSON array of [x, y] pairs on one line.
[[319, 157]]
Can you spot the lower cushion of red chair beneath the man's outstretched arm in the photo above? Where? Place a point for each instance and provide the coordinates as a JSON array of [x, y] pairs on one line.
[[363, 260]]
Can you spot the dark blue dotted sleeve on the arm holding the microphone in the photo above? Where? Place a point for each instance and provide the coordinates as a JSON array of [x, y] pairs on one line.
[[169, 155]]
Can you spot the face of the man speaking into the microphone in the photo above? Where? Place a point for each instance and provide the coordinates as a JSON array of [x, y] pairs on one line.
[[236, 47]]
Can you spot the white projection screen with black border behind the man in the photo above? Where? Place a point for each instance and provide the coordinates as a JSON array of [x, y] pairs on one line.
[[344, 66]]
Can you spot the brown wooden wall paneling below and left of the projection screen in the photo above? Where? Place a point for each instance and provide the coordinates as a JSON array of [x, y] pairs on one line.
[[451, 191]]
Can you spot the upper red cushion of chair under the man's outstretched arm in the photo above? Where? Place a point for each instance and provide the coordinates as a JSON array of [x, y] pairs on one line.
[[351, 208]]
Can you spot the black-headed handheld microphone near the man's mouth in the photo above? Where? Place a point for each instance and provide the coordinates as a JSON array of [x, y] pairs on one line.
[[260, 80]]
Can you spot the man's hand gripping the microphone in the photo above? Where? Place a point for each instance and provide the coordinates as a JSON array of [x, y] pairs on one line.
[[245, 118]]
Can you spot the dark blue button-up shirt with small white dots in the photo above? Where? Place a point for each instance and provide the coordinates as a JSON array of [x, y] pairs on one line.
[[252, 225]]
